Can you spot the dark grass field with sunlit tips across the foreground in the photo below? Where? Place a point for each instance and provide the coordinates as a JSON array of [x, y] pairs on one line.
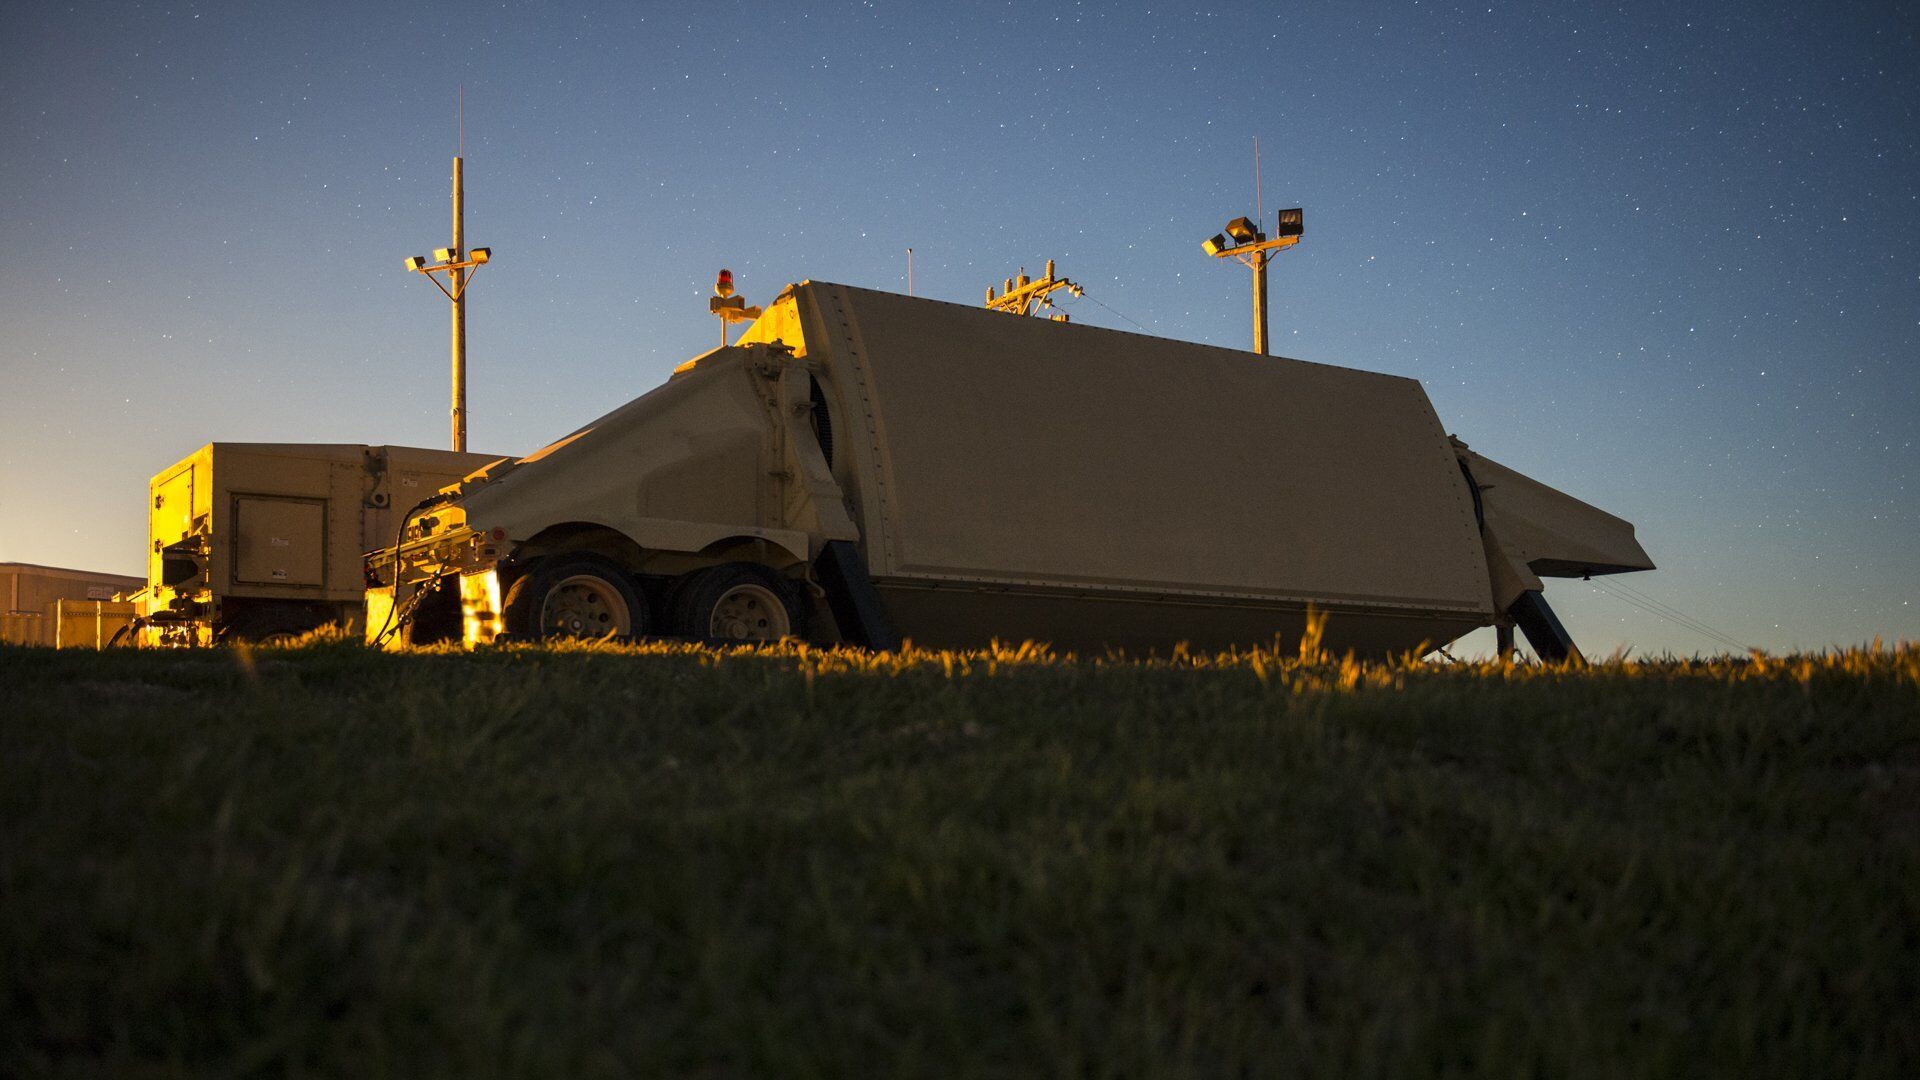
[[608, 862]]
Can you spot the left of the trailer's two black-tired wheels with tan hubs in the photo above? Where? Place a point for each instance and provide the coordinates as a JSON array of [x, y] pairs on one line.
[[575, 595]]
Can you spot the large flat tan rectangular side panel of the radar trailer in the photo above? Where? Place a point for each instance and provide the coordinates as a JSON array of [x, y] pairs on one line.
[[1032, 453]]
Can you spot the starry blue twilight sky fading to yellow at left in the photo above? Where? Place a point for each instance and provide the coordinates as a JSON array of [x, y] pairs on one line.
[[1664, 257]]
